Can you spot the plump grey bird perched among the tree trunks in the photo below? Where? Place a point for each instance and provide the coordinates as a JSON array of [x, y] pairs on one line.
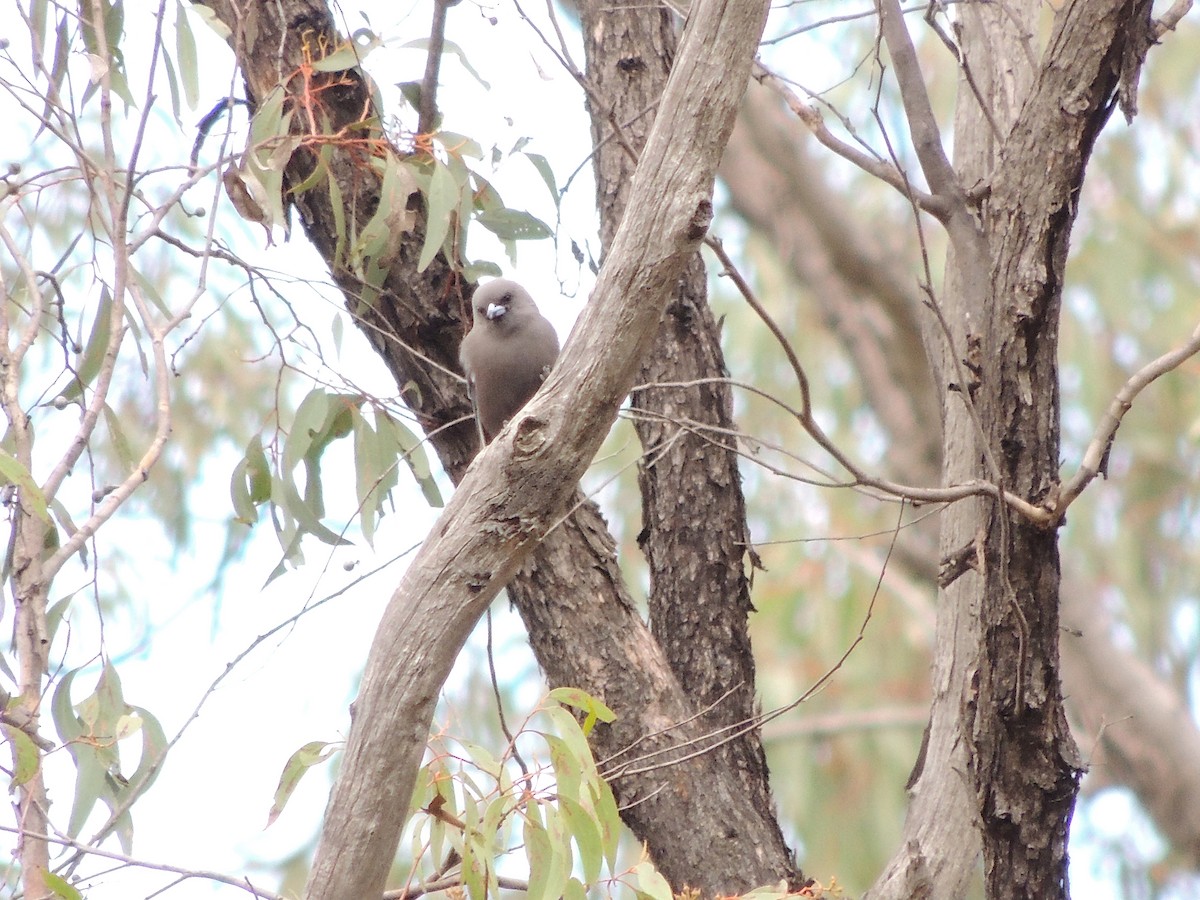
[[507, 355]]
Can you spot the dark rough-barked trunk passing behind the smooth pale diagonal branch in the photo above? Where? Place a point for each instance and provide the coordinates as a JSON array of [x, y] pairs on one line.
[[699, 592]]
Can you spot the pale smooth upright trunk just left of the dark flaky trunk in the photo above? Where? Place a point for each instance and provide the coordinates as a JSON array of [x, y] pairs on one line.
[[944, 817]]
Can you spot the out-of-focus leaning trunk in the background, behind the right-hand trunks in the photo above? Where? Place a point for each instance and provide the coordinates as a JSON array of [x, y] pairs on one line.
[[1131, 722]]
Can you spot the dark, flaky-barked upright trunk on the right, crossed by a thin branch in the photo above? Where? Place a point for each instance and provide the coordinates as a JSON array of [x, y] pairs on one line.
[[1003, 302]]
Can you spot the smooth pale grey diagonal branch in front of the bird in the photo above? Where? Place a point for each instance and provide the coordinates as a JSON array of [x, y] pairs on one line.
[[519, 484]]
